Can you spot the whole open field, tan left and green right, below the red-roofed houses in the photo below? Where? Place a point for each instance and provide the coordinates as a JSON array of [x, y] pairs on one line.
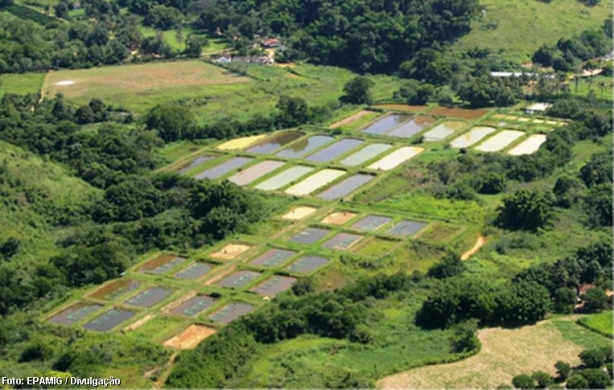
[[212, 92]]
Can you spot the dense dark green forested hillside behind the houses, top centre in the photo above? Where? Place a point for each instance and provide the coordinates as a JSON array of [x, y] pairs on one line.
[[375, 36]]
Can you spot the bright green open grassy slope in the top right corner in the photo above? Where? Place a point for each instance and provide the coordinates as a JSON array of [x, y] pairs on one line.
[[517, 28]]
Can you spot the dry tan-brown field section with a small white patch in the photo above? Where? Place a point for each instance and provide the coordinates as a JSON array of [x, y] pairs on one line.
[[139, 87]]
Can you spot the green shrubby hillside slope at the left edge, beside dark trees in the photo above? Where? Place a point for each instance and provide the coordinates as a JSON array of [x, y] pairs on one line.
[[37, 197]]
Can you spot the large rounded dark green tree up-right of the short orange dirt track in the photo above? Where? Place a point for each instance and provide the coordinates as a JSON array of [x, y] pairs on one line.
[[526, 210]]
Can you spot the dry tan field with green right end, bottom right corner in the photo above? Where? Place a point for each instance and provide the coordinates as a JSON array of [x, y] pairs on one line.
[[504, 354]]
